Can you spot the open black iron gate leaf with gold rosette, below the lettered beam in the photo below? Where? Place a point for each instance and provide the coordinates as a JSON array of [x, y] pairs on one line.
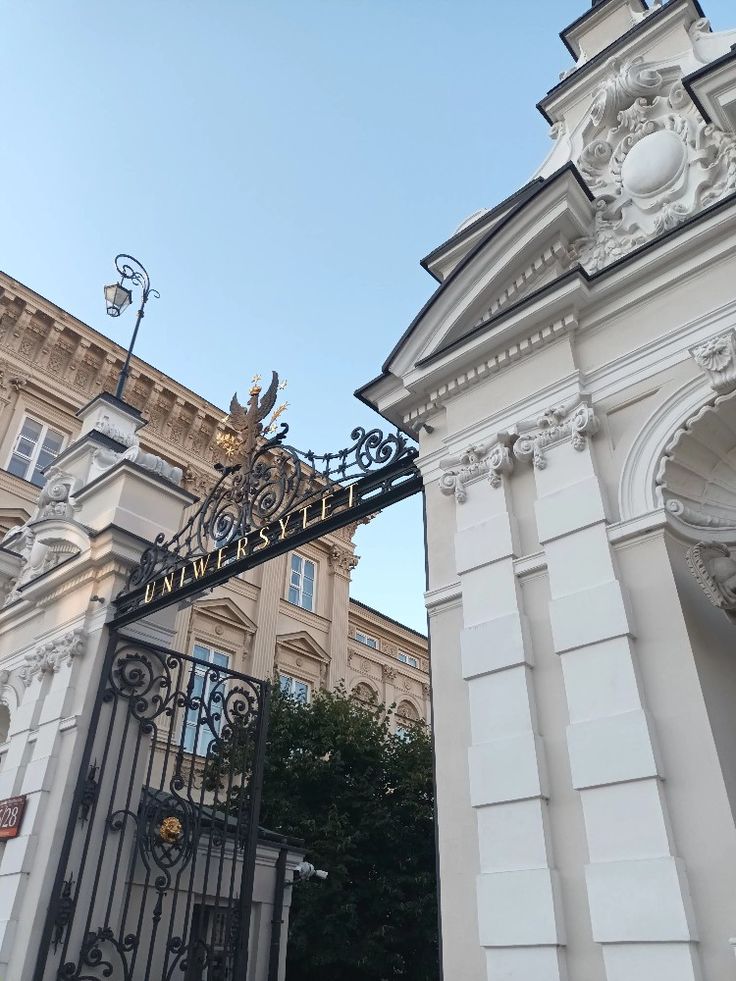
[[157, 877]]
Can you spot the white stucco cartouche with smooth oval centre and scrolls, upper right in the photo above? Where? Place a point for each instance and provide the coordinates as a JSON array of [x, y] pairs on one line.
[[650, 158]]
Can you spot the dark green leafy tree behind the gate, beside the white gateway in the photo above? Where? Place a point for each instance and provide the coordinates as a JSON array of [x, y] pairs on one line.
[[363, 801]]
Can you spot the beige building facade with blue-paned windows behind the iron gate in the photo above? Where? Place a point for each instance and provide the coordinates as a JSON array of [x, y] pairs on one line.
[[292, 616]]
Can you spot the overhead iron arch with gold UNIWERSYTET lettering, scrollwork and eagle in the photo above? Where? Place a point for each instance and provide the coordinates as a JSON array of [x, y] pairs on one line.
[[269, 497]]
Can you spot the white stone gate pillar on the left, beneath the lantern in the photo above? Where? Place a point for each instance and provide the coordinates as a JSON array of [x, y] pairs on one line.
[[53, 638]]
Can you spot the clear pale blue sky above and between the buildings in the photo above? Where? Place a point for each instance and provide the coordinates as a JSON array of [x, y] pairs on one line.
[[280, 166]]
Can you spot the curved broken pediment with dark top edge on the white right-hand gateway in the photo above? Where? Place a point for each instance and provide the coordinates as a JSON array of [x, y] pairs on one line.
[[525, 252]]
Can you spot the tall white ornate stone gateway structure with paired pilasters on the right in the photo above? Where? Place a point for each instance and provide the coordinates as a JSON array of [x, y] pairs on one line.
[[573, 384]]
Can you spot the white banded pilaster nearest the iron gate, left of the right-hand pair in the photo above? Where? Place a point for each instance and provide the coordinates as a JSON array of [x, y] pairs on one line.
[[520, 922]]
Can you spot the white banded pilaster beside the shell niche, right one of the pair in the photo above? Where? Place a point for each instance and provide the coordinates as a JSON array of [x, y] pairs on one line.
[[637, 889]]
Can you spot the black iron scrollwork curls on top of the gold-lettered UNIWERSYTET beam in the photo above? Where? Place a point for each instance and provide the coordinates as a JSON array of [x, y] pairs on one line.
[[274, 480]]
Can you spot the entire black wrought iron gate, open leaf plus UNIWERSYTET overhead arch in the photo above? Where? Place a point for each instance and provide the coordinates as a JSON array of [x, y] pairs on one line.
[[155, 875]]
